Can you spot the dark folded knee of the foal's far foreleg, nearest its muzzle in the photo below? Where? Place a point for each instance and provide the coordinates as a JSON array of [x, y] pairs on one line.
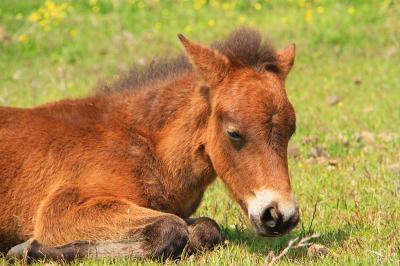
[[204, 234]]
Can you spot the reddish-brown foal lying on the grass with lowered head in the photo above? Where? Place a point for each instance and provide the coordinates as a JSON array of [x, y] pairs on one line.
[[120, 173]]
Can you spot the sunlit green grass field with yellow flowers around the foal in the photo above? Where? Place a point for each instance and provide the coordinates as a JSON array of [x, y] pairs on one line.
[[345, 87]]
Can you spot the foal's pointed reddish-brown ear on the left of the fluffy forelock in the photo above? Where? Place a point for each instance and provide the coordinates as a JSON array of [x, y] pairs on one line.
[[212, 65]]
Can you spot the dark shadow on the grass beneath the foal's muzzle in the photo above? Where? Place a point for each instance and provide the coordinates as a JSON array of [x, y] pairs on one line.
[[263, 245]]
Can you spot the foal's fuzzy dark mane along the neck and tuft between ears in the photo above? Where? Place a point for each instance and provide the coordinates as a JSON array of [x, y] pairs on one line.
[[244, 46]]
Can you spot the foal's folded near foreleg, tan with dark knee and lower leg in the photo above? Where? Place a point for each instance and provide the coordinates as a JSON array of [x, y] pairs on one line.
[[113, 227]]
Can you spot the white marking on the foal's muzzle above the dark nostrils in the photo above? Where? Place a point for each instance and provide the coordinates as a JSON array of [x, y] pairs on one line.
[[256, 204]]
